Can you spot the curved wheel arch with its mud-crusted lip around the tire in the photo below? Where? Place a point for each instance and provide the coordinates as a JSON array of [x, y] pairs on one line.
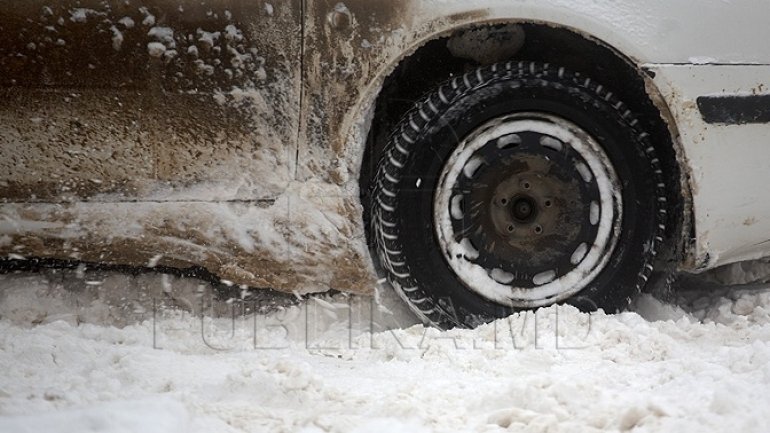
[[428, 62]]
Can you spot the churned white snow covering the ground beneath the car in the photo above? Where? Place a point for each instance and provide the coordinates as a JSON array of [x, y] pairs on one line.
[[103, 352]]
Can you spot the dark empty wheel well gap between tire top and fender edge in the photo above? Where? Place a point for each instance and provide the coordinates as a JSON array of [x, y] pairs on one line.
[[463, 50]]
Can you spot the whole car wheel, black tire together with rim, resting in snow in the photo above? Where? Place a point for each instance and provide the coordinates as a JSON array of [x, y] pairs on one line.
[[517, 186]]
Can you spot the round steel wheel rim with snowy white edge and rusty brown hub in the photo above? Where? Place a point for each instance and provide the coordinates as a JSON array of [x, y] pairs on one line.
[[492, 269]]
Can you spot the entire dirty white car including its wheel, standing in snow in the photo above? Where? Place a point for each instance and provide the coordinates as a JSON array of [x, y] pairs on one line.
[[480, 157]]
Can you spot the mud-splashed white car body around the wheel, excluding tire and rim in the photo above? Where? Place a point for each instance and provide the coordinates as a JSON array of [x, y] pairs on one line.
[[237, 136]]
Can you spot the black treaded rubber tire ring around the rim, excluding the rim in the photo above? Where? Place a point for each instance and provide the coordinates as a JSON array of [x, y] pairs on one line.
[[402, 200]]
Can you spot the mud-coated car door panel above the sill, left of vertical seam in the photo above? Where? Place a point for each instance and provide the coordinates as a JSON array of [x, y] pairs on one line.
[[148, 100]]
